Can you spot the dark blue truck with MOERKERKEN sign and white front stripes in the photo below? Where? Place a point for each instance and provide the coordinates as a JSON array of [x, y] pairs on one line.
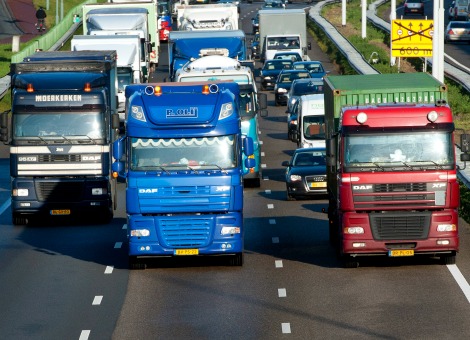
[[62, 122]]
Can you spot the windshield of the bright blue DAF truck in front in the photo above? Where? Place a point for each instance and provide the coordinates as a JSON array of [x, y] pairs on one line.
[[183, 153]]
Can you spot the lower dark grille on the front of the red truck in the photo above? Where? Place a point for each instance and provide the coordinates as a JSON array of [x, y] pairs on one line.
[[400, 225]]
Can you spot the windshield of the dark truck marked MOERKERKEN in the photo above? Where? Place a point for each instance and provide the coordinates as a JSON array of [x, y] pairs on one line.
[[58, 125]]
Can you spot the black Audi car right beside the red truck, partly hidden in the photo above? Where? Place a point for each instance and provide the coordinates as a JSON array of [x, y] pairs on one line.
[[306, 173]]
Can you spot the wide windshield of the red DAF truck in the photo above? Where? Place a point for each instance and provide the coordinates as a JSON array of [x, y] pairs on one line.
[[408, 150]]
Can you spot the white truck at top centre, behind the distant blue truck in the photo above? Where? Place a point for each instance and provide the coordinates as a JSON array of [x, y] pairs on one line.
[[204, 17]]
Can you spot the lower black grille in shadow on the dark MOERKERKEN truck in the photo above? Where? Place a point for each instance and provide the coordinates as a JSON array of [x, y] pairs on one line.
[[59, 191]]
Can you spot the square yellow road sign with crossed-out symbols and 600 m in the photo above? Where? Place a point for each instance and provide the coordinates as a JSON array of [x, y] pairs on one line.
[[412, 38]]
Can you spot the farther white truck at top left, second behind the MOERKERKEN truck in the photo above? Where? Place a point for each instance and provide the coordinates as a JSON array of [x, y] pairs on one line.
[[126, 18]]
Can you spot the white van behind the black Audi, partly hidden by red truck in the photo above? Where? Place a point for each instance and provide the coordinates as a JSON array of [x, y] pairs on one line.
[[311, 121]]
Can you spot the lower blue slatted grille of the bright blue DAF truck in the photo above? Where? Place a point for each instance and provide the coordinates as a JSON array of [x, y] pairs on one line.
[[186, 232]]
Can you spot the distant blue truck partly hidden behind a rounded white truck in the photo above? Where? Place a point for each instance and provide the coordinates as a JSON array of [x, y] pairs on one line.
[[185, 46]]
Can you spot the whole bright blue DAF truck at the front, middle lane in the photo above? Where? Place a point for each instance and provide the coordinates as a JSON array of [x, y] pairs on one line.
[[182, 159]]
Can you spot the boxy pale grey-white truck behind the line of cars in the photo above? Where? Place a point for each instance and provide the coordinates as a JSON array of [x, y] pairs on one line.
[[283, 30]]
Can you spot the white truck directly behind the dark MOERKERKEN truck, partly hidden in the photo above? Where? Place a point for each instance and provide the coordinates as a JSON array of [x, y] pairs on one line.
[[131, 62]]
